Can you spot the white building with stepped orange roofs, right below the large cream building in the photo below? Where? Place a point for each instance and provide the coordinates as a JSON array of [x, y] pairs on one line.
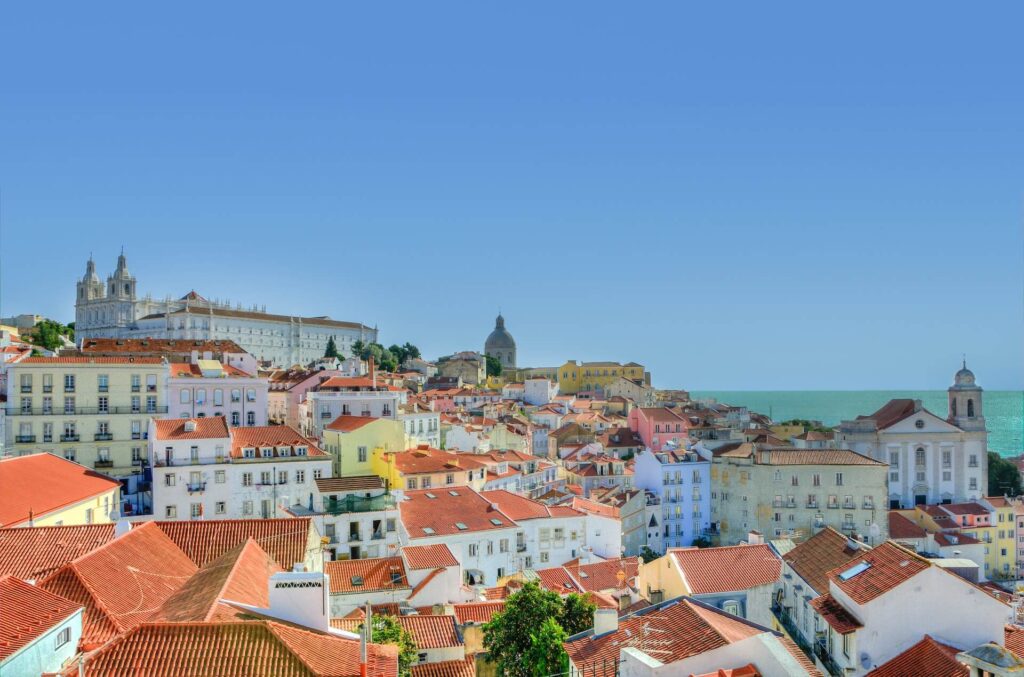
[[202, 470]]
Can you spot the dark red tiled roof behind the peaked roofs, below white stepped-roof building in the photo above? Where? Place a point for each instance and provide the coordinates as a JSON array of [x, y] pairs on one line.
[[205, 540]]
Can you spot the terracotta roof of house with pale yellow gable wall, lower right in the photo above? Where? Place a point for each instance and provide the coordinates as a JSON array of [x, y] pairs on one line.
[[728, 569]]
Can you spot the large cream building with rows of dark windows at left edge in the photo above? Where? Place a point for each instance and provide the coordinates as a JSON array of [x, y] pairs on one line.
[[94, 411]]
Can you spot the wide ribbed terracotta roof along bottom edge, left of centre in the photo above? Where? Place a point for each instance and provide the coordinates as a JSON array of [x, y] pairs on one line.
[[235, 650]]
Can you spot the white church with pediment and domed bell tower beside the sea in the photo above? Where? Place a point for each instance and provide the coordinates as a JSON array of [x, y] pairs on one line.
[[932, 460]]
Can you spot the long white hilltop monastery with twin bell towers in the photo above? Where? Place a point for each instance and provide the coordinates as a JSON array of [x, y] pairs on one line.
[[115, 311]]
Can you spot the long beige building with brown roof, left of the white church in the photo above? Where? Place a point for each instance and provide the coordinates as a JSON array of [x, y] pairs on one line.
[[784, 492]]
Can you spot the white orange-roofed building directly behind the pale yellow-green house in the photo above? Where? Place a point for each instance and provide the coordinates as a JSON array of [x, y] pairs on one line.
[[352, 397]]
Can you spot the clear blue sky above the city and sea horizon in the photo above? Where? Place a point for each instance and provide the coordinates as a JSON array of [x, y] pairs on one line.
[[751, 196]]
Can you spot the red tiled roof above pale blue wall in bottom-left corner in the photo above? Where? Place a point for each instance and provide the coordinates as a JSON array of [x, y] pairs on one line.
[[27, 613]]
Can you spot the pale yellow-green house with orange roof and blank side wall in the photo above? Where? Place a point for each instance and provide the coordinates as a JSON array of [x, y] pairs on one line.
[[355, 441]]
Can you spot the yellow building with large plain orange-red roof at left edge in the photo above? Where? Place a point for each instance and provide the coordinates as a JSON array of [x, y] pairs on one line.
[[45, 490]]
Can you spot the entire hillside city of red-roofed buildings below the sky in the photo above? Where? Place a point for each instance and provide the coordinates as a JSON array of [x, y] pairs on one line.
[[191, 487]]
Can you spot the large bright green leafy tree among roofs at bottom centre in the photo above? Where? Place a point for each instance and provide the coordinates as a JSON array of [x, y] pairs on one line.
[[508, 638]]
